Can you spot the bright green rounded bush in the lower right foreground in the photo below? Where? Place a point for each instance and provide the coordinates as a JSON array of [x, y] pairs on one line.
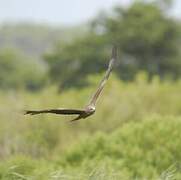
[[143, 149]]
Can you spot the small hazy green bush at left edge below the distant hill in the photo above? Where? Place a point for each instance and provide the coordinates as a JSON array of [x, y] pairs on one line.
[[18, 71]]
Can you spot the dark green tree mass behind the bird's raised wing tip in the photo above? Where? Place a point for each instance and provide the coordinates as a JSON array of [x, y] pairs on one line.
[[148, 39]]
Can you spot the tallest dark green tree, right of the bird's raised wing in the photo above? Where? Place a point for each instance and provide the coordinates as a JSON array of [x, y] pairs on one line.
[[147, 37]]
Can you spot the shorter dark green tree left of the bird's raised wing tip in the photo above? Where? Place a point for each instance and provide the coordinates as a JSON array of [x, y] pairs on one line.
[[69, 63]]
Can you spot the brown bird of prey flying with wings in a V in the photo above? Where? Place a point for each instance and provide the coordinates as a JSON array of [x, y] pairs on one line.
[[91, 107]]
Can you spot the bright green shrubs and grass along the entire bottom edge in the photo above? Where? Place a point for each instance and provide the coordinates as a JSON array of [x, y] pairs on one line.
[[148, 149]]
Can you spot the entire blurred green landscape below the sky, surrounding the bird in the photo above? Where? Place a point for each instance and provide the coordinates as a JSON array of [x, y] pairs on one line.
[[136, 130]]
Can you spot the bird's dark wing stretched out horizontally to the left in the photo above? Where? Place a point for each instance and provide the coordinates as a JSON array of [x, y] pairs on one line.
[[56, 111]]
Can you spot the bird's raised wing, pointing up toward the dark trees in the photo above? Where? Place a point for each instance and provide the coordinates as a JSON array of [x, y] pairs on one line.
[[105, 78]]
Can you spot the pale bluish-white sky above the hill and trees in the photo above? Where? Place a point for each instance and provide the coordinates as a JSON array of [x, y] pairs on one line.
[[60, 12]]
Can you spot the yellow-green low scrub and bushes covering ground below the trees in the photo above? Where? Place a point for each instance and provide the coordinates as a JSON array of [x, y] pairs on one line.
[[134, 133]]
